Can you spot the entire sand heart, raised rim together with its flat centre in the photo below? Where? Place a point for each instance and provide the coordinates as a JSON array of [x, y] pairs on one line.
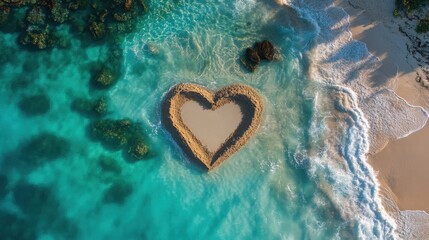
[[206, 150]]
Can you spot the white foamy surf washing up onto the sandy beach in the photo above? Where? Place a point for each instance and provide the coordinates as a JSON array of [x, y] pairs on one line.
[[372, 116]]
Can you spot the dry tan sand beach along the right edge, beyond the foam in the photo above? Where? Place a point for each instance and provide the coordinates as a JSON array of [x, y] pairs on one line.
[[400, 164]]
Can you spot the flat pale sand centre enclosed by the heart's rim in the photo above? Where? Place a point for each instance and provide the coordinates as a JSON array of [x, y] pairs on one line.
[[210, 127]]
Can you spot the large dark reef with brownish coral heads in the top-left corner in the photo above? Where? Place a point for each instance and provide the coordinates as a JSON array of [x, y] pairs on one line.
[[39, 21]]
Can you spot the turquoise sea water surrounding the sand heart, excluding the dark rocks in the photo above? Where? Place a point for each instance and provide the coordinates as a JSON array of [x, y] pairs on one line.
[[284, 184]]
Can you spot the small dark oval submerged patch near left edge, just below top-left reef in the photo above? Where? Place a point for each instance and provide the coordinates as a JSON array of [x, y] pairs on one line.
[[34, 105]]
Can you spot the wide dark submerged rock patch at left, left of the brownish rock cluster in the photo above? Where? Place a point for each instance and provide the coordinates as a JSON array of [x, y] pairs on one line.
[[44, 147]]
